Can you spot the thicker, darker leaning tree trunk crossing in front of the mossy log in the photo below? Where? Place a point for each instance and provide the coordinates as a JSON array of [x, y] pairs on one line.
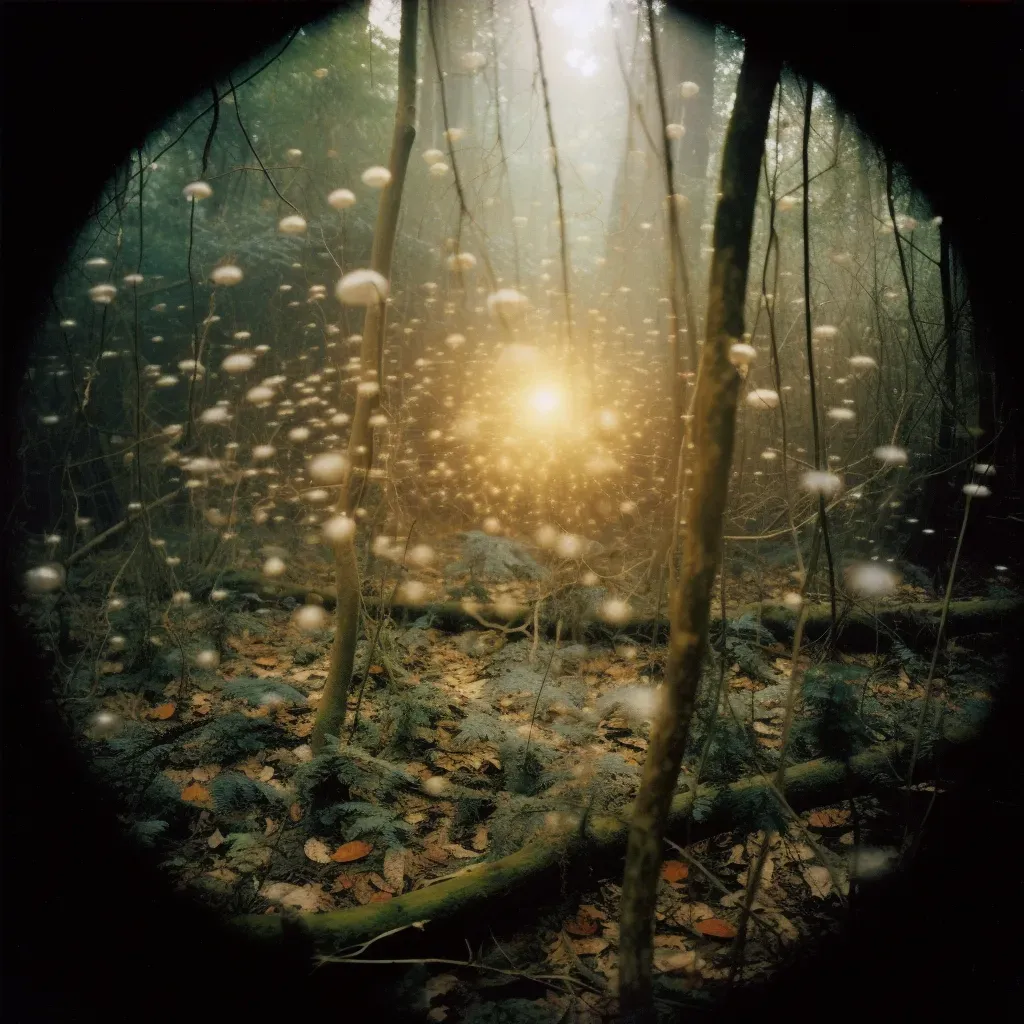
[[714, 429]]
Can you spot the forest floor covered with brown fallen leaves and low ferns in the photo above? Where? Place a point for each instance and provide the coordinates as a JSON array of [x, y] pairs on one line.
[[451, 707]]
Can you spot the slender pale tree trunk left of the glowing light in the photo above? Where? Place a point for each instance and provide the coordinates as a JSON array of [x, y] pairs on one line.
[[331, 713]]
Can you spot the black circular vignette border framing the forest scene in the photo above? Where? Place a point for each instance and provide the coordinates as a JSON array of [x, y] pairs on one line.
[[91, 928]]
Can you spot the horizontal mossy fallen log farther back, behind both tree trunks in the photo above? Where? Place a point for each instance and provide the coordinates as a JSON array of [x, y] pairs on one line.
[[859, 628]]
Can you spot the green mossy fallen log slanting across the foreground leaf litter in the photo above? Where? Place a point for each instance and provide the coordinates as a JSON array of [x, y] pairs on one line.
[[567, 861]]
